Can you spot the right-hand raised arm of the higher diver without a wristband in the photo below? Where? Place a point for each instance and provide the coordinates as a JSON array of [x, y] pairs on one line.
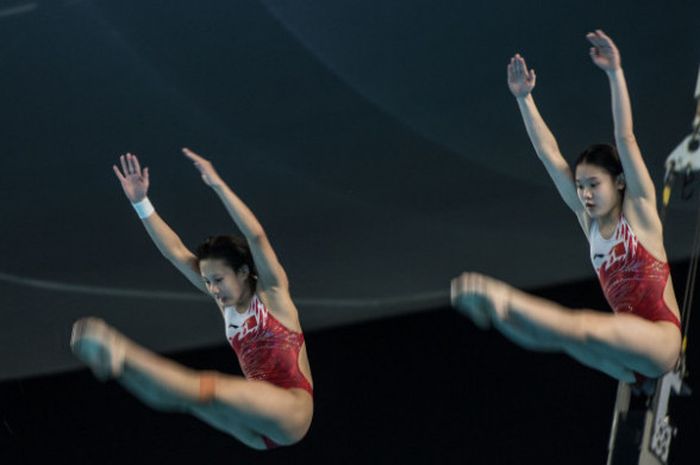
[[606, 56]]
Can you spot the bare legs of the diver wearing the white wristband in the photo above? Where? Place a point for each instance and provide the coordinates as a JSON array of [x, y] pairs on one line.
[[245, 409]]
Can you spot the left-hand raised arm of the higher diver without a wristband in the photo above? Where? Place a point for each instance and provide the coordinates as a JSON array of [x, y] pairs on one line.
[[521, 82]]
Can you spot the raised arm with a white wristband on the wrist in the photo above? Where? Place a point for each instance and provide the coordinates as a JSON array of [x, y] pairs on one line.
[[135, 183]]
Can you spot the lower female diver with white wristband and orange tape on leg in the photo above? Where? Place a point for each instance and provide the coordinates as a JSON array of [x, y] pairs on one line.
[[273, 404]]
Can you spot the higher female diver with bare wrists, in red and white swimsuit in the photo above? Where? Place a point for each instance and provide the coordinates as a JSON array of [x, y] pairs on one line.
[[614, 200]]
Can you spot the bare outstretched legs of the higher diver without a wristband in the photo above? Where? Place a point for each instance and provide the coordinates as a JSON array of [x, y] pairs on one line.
[[615, 344]]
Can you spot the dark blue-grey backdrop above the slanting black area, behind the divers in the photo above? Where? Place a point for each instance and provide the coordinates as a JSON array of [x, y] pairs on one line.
[[375, 140]]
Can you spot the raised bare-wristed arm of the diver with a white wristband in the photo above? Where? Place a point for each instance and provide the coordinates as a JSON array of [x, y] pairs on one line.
[[271, 275]]
